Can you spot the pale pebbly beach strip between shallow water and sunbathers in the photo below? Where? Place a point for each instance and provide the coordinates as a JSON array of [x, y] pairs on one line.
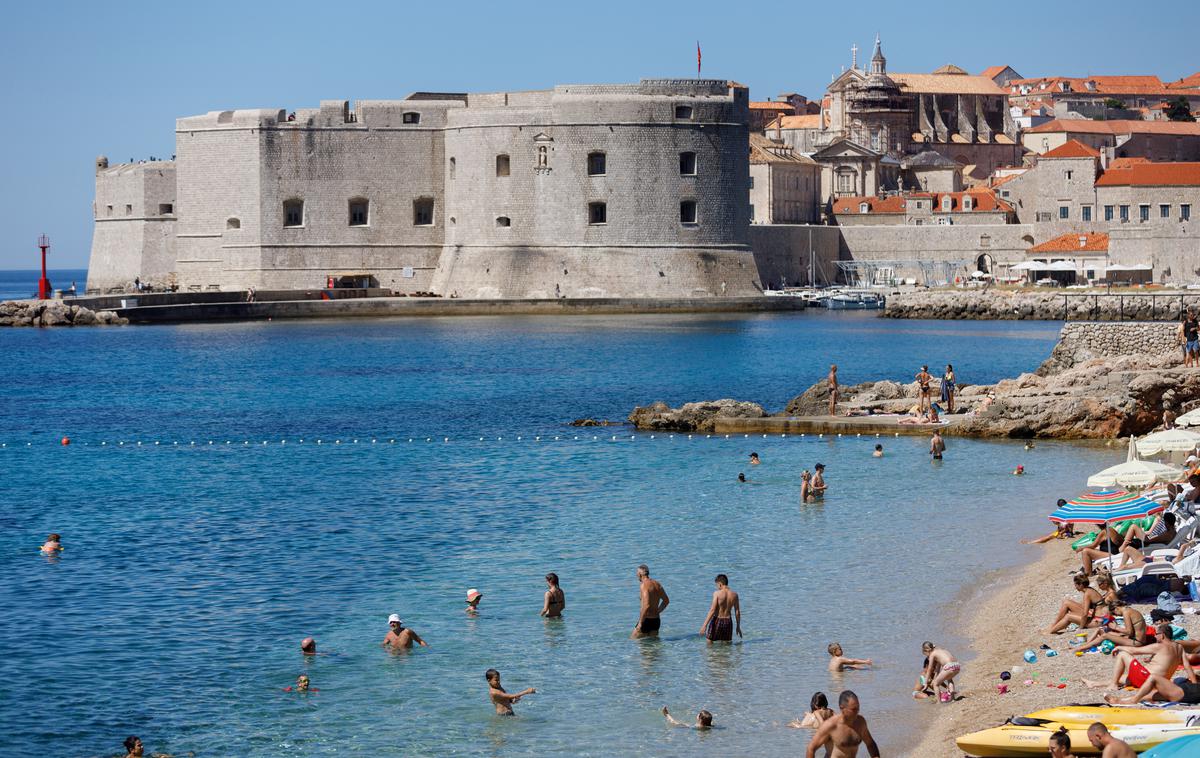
[[1005, 616]]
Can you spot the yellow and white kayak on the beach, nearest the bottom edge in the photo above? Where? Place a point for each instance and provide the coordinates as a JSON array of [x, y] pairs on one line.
[[1035, 741]]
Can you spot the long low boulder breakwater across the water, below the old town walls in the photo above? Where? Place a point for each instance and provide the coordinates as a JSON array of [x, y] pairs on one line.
[[1041, 305]]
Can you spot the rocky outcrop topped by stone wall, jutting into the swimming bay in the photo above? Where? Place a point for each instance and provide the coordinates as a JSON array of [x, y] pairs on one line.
[[1103, 381]]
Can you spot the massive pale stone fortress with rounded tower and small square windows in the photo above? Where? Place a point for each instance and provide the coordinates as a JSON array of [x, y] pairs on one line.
[[581, 191]]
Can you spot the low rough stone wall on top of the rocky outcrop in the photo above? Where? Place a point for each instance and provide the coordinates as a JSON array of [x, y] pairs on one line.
[[1084, 341]]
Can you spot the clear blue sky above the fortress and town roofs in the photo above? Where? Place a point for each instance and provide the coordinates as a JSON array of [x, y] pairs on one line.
[[89, 79]]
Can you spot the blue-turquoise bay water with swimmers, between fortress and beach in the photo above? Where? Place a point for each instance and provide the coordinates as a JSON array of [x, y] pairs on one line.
[[193, 573]]
